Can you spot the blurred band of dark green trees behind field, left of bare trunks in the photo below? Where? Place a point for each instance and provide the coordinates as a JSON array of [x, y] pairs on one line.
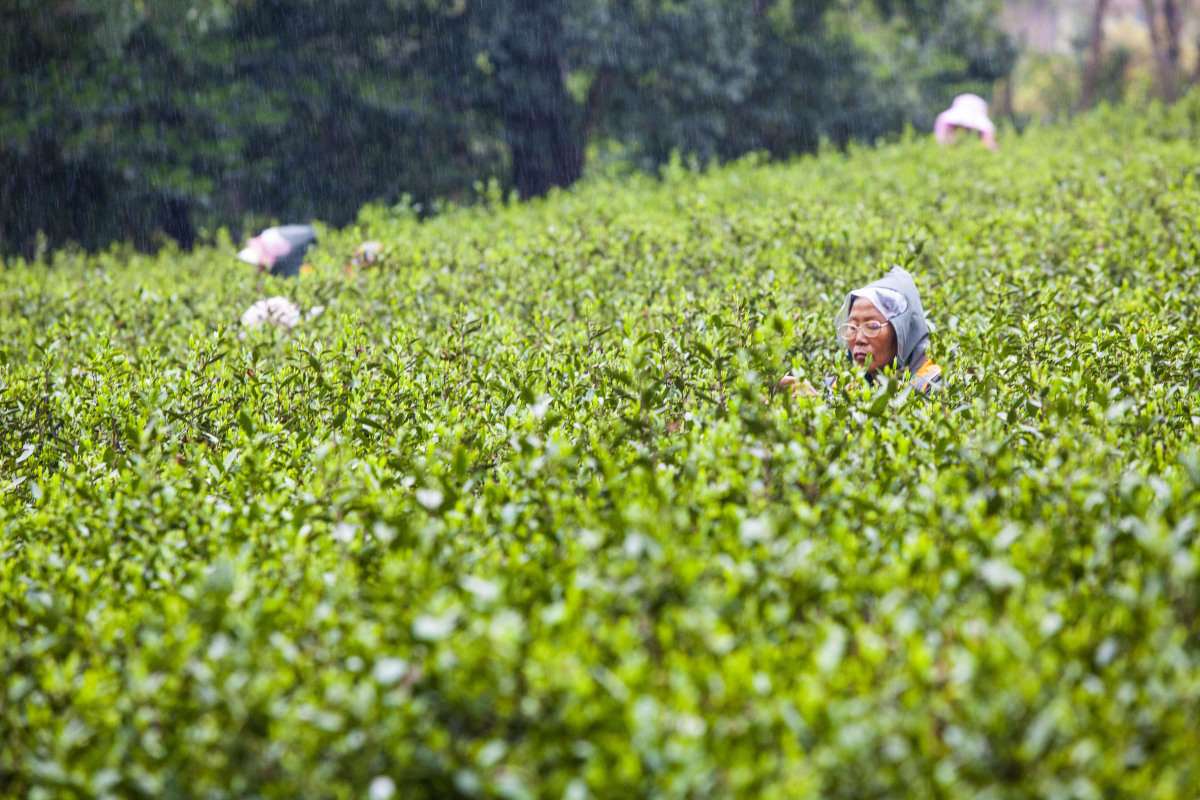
[[137, 122]]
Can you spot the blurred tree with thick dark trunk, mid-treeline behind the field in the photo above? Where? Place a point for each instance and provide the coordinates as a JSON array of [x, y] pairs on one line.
[[656, 74]]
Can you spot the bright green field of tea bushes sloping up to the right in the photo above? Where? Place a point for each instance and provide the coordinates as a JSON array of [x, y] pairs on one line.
[[520, 514]]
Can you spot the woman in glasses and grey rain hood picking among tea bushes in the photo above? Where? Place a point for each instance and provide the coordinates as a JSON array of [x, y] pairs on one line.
[[884, 326]]
